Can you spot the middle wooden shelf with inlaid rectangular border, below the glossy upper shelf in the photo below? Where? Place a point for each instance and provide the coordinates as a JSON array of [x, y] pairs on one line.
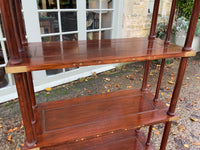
[[85, 117]]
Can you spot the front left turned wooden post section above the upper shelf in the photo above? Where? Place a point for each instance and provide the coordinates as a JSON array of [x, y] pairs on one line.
[[9, 32]]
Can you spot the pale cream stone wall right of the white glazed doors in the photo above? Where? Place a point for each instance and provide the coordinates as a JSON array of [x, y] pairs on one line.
[[137, 20]]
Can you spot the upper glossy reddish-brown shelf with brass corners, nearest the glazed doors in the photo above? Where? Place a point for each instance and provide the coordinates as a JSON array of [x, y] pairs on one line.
[[55, 55]]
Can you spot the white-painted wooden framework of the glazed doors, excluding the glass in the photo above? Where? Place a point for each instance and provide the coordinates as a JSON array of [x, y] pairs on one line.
[[31, 18]]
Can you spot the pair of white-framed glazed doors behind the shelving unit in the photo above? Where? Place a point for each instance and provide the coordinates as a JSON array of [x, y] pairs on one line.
[[70, 20]]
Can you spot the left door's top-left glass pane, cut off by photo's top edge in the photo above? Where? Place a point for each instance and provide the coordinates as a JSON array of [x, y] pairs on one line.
[[47, 4]]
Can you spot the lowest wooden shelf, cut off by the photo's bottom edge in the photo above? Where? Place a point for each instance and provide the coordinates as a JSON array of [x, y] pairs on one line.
[[126, 140]]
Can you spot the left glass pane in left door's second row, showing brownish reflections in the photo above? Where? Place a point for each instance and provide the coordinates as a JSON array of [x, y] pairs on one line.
[[49, 22]]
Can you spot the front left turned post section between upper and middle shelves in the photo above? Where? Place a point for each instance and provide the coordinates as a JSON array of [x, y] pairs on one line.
[[26, 108]]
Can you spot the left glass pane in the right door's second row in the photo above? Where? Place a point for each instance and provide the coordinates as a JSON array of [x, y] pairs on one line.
[[92, 20]]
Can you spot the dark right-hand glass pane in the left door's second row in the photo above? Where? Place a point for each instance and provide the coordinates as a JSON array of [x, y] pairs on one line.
[[69, 21]]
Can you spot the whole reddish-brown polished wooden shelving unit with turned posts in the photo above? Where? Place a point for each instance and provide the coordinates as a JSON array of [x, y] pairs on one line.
[[106, 121]]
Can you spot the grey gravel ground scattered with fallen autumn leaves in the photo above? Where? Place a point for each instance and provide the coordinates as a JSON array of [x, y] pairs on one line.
[[185, 132]]
